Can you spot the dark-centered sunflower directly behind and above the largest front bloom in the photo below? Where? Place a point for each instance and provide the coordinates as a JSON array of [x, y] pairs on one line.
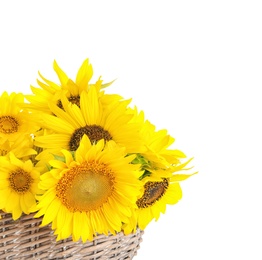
[[94, 120]]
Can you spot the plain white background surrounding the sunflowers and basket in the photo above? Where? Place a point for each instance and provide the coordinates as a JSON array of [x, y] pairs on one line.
[[195, 68]]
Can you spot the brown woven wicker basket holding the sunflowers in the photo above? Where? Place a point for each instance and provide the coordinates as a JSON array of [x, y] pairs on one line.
[[23, 239]]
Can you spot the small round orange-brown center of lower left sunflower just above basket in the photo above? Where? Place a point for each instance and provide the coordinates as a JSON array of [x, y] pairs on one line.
[[20, 181]]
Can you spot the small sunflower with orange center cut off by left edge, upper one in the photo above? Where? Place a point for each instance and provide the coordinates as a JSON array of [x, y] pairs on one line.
[[14, 121]]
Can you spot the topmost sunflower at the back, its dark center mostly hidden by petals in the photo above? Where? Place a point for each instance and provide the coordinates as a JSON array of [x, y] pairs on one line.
[[52, 92]]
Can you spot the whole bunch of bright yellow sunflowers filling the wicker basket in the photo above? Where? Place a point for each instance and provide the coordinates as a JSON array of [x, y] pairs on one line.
[[84, 161]]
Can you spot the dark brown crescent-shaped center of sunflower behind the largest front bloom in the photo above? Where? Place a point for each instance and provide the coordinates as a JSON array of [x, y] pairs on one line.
[[94, 133]]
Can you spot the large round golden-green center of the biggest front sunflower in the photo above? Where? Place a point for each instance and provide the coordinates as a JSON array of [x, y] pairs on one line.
[[85, 187]]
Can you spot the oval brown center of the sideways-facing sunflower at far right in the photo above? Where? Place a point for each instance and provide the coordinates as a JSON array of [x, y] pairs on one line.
[[153, 192]]
